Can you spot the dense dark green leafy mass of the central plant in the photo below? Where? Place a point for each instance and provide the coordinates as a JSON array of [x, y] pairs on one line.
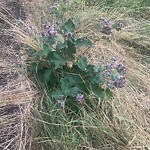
[[58, 67]]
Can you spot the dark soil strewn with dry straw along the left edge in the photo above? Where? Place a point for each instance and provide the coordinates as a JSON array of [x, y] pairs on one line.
[[15, 91]]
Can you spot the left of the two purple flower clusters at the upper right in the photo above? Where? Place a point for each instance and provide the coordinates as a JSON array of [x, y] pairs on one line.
[[107, 29]]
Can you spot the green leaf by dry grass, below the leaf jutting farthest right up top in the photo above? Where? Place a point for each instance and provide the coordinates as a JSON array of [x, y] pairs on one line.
[[82, 63]]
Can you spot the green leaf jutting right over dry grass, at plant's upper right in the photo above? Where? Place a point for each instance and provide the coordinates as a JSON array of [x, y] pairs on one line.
[[83, 43]]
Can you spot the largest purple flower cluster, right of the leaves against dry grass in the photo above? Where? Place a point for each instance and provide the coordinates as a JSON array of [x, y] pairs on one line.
[[114, 74]]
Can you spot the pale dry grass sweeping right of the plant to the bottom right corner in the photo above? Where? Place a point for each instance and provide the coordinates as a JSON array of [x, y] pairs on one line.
[[131, 105]]
